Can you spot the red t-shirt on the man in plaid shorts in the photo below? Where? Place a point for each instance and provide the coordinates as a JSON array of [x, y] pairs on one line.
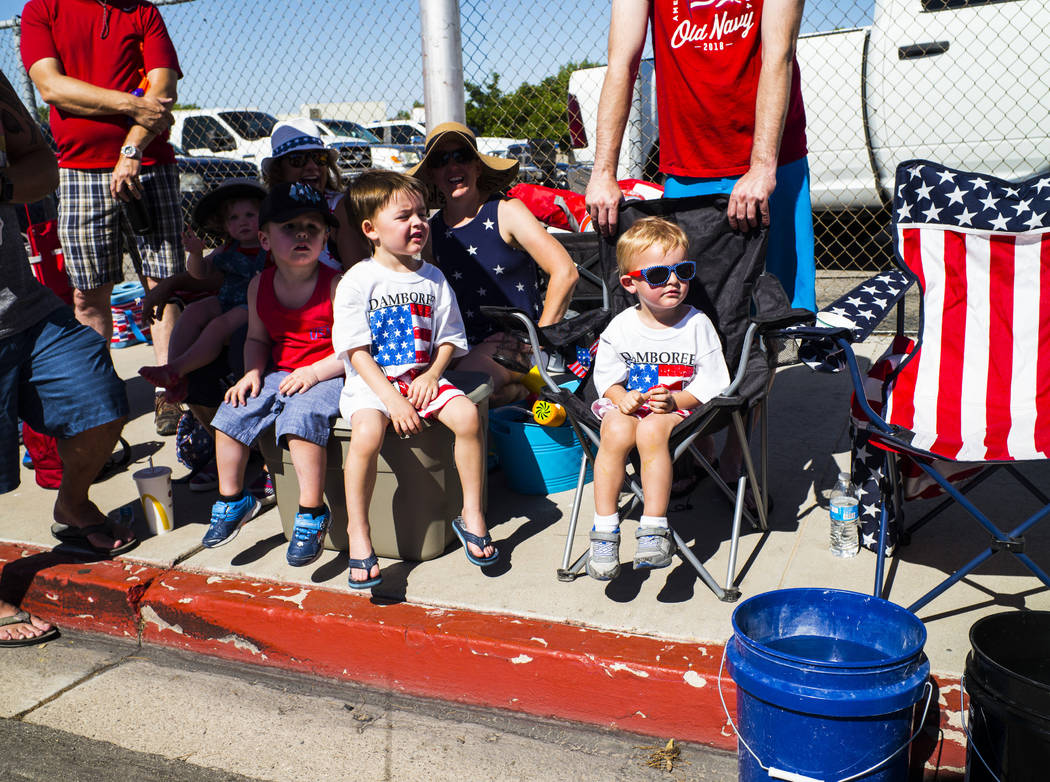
[[135, 44]]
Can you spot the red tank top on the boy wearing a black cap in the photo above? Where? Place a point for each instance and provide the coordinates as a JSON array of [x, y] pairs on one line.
[[302, 336]]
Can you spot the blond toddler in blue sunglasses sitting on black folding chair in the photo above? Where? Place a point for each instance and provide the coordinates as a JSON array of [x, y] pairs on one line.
[[656, 364]]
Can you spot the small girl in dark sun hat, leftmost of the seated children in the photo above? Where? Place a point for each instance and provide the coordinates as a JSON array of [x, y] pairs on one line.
[[206, 326]]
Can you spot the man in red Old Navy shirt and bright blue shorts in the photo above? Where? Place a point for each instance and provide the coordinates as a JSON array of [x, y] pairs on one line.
[[731, 118]]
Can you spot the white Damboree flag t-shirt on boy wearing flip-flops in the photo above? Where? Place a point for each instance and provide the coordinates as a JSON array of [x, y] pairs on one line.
[[404, 318]]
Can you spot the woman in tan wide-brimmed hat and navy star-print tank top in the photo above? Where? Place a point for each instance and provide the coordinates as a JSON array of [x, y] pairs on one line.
[[489, 247]]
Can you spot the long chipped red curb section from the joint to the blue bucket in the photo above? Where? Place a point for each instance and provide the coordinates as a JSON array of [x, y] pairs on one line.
[[548, 669]]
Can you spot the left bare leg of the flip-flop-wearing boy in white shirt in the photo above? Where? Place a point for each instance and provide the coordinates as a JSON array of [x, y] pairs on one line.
[[368, 427]]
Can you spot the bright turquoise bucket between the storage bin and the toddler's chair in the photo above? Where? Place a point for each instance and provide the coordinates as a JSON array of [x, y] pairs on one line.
[[536, 459]]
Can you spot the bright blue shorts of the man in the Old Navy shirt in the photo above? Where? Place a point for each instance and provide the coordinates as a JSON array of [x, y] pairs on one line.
[[790, 256]]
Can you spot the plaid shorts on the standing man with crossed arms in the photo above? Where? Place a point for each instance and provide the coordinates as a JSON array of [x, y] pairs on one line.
[[95, 234]]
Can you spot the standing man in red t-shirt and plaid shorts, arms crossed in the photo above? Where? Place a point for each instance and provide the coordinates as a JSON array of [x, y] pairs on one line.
[[109, 70]]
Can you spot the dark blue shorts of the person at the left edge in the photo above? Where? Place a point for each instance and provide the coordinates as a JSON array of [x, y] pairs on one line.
[[59, 378]]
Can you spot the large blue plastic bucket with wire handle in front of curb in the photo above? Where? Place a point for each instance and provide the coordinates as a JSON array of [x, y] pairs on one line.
[[827, 682]]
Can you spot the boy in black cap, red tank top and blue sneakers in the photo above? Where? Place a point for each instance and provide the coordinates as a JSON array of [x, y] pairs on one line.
[[292, 377]]
